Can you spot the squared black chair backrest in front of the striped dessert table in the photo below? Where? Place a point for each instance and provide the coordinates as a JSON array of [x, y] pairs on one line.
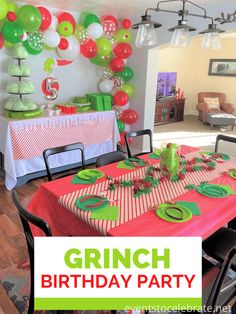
[[61, 149]]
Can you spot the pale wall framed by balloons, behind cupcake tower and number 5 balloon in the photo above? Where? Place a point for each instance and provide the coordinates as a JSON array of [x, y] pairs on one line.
[[77, 78]]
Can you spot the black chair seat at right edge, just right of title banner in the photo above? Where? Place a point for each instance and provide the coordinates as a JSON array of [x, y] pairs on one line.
[[219, 244]]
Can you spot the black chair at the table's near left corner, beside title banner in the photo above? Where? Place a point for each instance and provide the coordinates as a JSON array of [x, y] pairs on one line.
[[27, 218]]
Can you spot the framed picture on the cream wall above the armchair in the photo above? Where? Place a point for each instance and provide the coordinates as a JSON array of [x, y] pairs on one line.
[[222, 67]]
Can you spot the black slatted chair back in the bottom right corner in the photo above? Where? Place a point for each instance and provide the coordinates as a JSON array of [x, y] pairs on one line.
[[216, 290]]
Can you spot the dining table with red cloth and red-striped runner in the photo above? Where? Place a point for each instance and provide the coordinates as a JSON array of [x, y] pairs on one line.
[[56, 201]]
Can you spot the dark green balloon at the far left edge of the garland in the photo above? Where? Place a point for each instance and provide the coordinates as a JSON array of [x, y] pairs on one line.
[[12, 32]]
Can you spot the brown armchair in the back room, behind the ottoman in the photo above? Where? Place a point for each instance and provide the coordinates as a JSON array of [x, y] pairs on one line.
[[203, 108]]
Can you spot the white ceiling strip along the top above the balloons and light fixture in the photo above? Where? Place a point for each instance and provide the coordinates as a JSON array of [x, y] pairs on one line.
[[117, 7]]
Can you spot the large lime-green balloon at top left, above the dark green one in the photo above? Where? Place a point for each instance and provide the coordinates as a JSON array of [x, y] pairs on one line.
[[29, 18]]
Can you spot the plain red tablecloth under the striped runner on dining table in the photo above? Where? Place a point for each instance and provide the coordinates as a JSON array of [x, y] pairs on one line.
[[215, 212]]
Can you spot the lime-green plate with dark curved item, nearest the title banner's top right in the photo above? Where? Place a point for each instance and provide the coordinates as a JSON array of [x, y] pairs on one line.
[[187, 214]]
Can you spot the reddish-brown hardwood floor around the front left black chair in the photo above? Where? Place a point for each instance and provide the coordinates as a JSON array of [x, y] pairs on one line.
[[13, 249]]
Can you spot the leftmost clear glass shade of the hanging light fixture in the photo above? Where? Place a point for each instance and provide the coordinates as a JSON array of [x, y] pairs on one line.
[[146, 36]]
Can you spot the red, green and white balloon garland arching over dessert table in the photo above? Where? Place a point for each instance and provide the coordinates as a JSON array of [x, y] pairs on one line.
[[105, 41]]
